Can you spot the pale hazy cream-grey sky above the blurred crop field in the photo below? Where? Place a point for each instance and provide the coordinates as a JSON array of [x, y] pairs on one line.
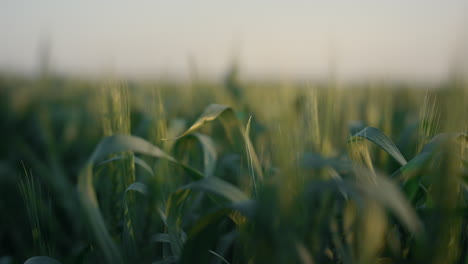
[[404, 39]]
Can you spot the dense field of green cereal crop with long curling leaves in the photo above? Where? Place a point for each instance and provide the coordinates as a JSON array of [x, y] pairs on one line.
[[236, 173]]
